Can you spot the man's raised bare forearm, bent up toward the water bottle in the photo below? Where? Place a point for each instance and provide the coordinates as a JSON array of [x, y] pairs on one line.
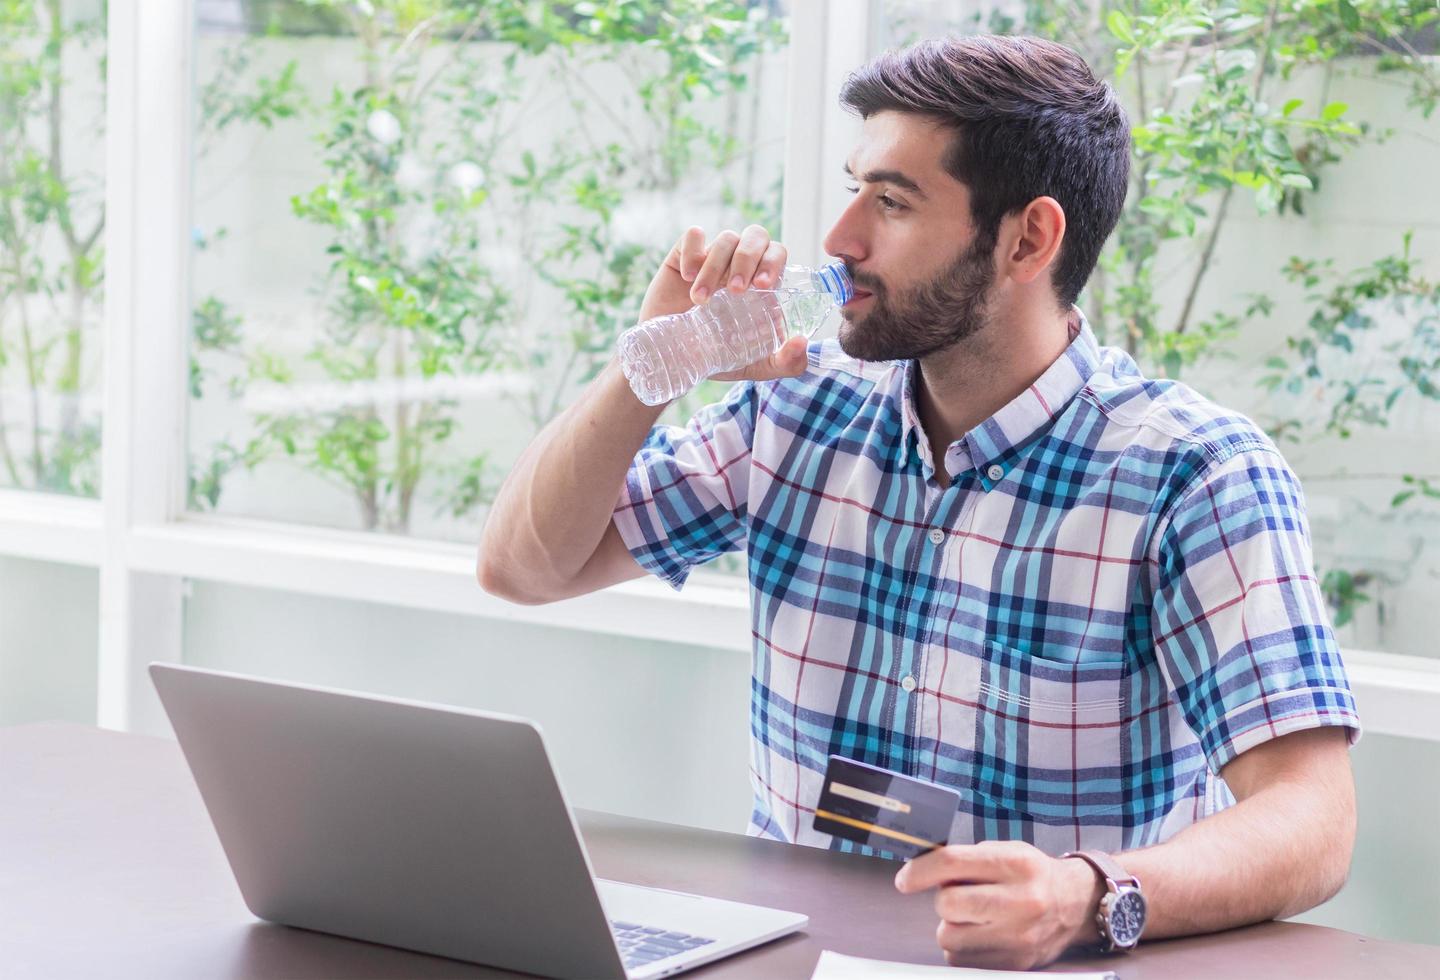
[[558, 500]]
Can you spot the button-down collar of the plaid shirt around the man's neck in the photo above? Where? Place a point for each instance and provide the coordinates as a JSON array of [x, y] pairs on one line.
[[996, 445]]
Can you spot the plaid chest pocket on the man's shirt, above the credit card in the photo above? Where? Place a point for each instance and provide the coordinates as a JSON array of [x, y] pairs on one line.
[[1049, 735]]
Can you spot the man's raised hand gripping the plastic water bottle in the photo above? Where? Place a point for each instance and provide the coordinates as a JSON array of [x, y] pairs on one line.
[[693, 273]]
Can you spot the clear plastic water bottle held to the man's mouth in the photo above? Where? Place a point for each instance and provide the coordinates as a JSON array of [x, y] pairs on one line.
[[667, 356]]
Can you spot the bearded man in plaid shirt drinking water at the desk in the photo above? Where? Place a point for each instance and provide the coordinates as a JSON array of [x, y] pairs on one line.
[[983, 549]]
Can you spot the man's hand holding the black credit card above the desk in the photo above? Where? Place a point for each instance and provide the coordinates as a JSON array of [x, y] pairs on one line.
[[1006, 904]]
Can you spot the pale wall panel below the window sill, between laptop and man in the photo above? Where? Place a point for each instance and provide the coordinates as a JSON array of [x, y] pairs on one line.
[[636, 726]]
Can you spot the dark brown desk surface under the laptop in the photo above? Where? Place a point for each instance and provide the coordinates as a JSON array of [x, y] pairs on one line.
[[109, 867]]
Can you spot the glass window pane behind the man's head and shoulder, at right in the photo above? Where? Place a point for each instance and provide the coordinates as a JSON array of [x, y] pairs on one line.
[[1278, 253]]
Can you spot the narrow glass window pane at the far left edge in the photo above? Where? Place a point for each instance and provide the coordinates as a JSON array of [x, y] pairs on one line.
[[53, 219]]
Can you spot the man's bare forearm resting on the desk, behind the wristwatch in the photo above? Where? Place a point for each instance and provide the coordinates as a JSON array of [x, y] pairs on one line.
[[1275, 854]]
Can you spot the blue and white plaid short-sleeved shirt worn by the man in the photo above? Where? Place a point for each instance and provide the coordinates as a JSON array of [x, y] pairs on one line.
[[1114, 599]]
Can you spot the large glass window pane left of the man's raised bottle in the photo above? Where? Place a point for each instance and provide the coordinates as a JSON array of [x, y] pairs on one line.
[[420, 228]]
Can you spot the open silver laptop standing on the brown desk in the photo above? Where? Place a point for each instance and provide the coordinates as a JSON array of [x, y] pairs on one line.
[[428, 828]]
